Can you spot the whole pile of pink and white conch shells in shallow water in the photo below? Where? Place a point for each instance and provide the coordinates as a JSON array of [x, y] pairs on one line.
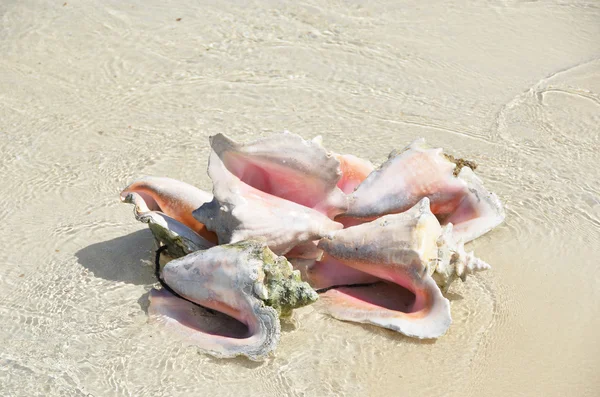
[[289, 222]]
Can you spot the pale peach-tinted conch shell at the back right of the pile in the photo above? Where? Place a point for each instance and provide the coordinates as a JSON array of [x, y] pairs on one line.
[[421, 171]]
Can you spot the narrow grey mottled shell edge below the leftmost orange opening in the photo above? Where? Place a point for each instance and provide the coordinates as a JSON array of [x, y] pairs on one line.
[[179, 239]]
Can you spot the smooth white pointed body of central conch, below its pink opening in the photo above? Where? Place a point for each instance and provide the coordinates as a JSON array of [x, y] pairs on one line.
[[240, 212]]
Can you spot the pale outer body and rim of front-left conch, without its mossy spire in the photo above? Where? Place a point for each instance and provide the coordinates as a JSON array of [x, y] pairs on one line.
[[225, 278]]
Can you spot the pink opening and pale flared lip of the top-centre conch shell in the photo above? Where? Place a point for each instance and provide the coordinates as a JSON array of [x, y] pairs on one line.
[[286, 166]]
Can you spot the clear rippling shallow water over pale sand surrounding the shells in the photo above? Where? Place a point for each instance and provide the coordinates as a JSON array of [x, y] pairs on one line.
[[96, 93]]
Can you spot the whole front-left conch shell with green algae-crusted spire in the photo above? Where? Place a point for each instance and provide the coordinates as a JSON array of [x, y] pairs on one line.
[[249, 287]]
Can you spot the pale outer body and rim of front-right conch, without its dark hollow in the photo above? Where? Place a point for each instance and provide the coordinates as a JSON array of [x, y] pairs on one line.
[[399, 249]]
